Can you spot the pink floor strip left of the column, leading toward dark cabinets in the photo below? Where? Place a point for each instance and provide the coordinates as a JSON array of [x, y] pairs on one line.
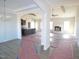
[[27, 50]]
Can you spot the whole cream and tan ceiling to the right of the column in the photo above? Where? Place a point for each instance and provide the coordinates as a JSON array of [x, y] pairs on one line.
[[69, 6]]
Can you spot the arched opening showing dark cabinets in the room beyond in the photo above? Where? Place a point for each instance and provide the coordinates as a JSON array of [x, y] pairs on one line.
[[30, 23]]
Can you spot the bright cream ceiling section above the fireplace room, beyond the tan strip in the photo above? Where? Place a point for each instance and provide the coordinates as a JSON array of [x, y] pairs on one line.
[[69, 11]]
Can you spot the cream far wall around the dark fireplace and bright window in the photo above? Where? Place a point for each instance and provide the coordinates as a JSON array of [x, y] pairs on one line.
[[60, 22]]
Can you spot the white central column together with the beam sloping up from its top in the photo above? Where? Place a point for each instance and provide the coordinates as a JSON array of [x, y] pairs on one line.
[[45, 25]]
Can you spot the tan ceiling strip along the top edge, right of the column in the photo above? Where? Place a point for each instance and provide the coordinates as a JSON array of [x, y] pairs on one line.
[[63, 2]]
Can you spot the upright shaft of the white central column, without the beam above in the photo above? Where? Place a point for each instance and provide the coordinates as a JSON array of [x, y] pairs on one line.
[[45, 31]]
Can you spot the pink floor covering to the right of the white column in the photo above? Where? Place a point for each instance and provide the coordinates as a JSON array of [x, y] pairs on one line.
[[64, 50]]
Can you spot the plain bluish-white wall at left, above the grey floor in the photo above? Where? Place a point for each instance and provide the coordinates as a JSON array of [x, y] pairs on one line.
[[9, 29]]
